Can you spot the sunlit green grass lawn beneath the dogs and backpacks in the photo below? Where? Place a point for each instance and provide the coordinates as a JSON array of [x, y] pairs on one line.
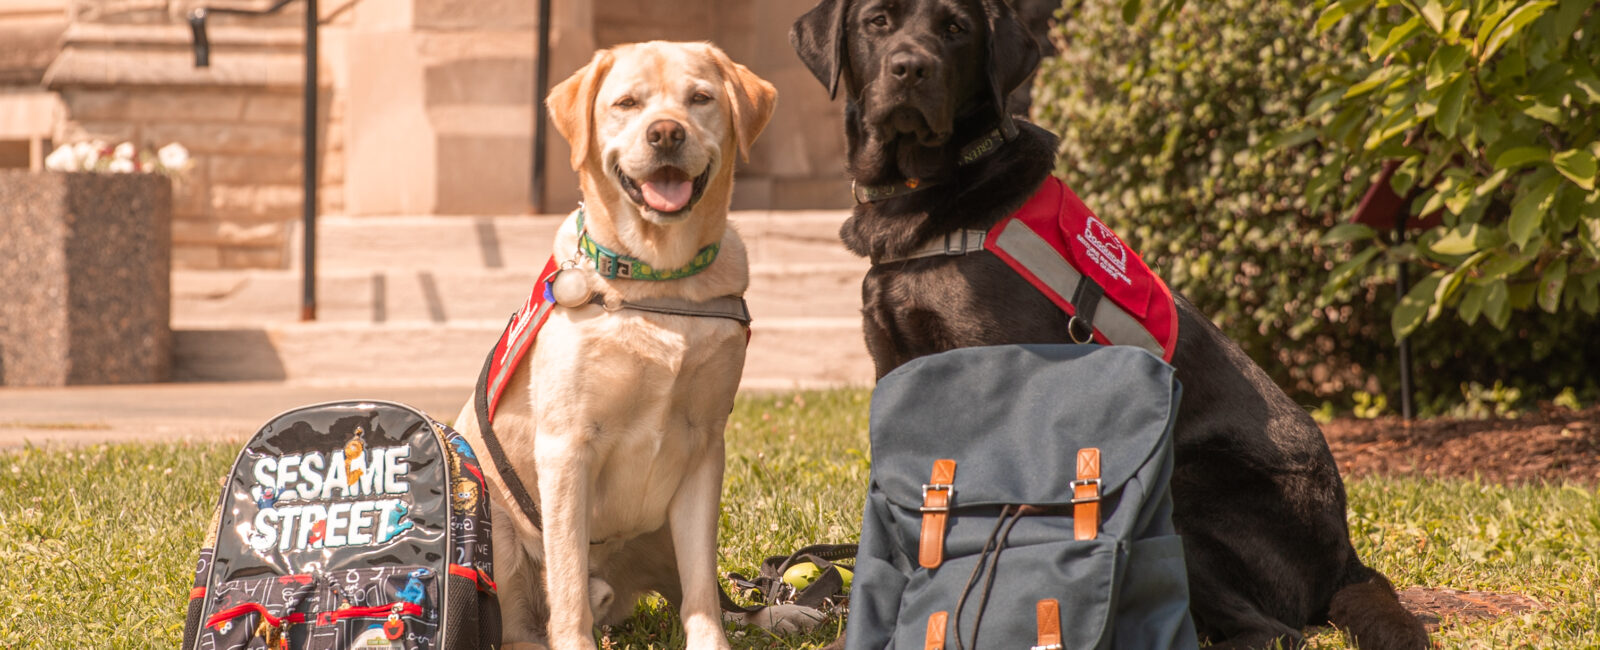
[[98, 545]]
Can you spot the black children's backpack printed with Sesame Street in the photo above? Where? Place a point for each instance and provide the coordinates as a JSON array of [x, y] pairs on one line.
[[348, 526]]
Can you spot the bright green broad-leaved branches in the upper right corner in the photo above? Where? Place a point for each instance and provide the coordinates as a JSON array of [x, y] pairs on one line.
[[1489, 106]]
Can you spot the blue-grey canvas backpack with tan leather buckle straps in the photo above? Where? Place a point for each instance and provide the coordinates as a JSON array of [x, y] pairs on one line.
[[1020, 500]]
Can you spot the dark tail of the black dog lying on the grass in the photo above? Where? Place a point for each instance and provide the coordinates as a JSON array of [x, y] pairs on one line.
[[1369, 611]]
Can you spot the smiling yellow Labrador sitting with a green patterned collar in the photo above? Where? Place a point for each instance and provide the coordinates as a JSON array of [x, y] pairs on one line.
[[615, 420]]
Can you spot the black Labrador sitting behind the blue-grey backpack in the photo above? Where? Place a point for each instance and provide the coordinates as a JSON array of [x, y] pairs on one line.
[[1257, 494]]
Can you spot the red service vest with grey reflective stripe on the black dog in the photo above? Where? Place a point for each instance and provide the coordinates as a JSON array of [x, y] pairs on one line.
[[1055, 239]]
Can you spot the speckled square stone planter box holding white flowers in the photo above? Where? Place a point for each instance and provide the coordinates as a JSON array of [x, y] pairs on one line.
[[86, 289]]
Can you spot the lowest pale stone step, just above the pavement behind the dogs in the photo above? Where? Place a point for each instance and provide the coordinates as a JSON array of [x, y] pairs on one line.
[[785, 353]]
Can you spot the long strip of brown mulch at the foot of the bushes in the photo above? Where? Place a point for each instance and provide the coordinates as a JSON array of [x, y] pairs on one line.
[[1548, 444]]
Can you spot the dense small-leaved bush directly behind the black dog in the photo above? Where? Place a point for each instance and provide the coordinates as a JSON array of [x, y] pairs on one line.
[[1166, 126]]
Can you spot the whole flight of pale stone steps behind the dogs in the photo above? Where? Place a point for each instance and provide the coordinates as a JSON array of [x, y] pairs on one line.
[[418, 300]]
